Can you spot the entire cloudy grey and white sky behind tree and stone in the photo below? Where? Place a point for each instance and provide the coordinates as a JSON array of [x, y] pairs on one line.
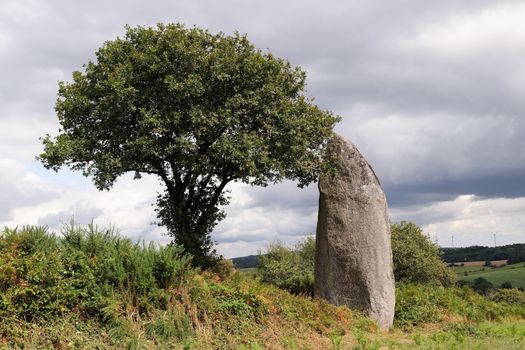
[[431, 92]]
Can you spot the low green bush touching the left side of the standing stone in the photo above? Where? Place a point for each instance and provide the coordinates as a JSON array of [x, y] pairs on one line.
[[290, 269]]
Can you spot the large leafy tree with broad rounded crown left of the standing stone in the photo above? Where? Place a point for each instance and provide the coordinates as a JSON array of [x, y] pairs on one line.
[[196, 109]]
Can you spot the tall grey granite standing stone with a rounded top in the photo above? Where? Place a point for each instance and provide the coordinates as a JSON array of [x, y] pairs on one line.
[[353, 260]]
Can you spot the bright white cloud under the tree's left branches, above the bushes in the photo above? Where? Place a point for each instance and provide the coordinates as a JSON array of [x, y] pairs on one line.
[[128, 206]]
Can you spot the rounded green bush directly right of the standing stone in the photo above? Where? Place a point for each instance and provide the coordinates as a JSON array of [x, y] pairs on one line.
[[416, 258]]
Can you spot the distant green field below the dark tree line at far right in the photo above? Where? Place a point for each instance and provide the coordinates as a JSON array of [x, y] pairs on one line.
[[515, 274]]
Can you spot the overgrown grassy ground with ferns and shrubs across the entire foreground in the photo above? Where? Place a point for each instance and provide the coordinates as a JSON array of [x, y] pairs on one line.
[[88, 288]]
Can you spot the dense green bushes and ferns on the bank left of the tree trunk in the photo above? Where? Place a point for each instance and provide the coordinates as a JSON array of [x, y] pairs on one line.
[[42, 275]]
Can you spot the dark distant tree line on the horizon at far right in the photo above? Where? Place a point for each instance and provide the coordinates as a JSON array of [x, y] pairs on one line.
[[514, 253]]
